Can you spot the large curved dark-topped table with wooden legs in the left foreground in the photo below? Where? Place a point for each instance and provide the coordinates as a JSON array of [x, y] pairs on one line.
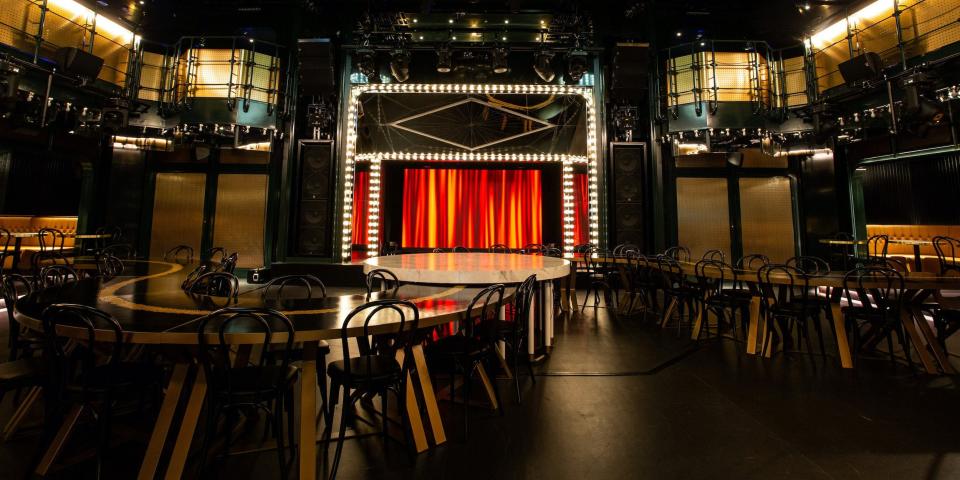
[[152, 309]]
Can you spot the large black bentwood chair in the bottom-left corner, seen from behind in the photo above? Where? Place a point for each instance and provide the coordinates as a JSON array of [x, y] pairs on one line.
[[91, 375]]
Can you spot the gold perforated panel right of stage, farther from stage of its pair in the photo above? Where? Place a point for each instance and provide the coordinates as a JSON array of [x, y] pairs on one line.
[[766, 217]]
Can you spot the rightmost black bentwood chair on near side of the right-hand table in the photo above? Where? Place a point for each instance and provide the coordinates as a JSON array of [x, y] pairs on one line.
[[874, 300]]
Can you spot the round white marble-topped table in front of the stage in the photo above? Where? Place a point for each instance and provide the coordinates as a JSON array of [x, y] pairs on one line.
[[476, 268]]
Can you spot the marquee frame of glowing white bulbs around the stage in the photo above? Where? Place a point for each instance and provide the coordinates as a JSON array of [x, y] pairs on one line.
[[351, 157]]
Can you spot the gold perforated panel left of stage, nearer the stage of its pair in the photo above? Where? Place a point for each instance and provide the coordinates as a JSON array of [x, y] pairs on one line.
[[240, 216]]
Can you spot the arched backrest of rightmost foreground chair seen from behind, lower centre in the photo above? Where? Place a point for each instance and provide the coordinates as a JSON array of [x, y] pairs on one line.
[[404, 316]]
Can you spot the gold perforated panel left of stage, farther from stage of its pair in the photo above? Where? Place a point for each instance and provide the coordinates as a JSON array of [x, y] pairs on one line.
[[177, 211]]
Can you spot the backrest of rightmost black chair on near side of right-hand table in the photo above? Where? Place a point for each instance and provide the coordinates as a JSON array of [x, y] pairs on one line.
[[878, 289]]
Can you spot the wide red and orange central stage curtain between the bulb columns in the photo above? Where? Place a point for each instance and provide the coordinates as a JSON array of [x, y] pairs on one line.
[[471, 208]]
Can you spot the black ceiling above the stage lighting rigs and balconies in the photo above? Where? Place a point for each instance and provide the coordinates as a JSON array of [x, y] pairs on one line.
[[780, 22]]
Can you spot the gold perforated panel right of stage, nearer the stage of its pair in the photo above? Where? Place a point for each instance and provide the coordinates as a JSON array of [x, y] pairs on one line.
[[703, 215]]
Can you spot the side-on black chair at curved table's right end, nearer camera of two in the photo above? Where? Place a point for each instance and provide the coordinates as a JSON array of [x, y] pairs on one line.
[[464, 352]]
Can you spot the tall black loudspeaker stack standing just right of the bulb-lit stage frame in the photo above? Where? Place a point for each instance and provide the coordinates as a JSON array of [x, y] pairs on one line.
[[628, 169]]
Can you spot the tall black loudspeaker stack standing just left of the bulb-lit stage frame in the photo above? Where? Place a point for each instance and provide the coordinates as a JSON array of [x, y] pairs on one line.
[[314, 228]]
